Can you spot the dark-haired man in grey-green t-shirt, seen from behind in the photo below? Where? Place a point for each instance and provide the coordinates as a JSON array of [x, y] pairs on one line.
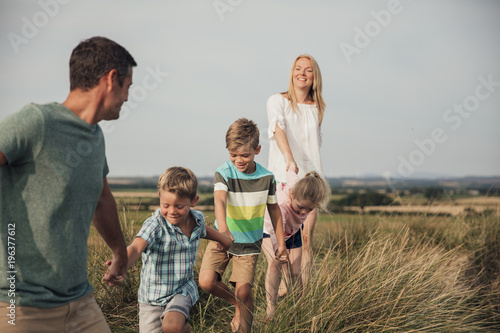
[[52, 184]]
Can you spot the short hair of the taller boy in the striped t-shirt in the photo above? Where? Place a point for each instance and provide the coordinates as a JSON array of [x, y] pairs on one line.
[[243, 133]]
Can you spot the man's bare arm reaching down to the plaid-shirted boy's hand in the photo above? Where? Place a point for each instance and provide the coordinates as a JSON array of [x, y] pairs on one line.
[[107, 223]]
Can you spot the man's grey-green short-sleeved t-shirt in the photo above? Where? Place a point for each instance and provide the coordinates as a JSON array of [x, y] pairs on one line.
[[48, 194]]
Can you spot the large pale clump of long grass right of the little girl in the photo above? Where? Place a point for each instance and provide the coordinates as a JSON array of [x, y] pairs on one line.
[[386, 286]]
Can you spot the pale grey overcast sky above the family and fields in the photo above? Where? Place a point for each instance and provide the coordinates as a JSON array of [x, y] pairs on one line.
[[412, 87]]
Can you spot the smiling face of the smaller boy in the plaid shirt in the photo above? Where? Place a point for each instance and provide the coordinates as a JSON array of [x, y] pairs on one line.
[[174, 208]]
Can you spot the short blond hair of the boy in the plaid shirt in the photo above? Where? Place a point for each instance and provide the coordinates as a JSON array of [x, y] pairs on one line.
[[179, 180]]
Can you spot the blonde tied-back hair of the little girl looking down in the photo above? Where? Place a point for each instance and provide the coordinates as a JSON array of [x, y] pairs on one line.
[[312, 188]]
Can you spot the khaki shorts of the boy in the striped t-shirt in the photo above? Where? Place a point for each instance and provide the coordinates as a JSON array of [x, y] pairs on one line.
[[243, 266]]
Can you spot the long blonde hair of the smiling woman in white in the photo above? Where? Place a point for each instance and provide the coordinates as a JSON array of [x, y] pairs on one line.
[[315, 93]]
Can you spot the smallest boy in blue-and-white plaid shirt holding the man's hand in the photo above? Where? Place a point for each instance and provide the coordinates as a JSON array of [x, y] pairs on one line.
[[168, 243]]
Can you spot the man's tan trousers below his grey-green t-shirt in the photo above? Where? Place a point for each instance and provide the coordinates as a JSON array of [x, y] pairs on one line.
[[81, 316]]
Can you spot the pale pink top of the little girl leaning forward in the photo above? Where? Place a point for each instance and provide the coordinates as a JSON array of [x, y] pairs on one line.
[[291, 220]]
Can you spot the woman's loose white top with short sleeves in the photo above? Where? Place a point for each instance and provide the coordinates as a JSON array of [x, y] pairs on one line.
[[303, 134]]
